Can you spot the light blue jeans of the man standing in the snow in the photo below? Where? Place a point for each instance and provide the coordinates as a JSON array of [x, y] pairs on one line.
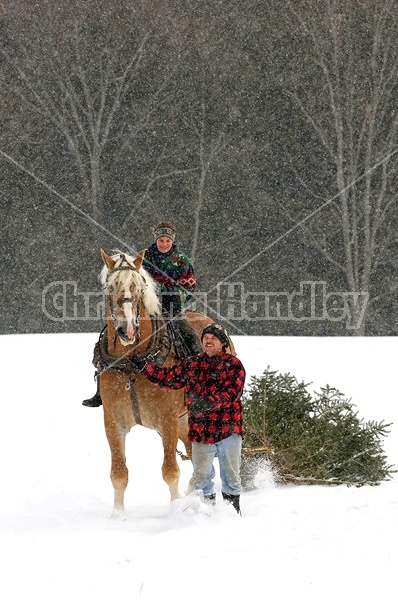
[[229, 457]]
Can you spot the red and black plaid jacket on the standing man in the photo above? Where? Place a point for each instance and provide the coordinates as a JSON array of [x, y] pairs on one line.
[[214, 386]]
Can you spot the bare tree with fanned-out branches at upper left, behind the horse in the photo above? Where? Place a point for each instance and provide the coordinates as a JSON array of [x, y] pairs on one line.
[[83, 101]]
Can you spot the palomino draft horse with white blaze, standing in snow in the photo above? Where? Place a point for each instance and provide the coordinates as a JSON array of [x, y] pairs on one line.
[[135, 326]]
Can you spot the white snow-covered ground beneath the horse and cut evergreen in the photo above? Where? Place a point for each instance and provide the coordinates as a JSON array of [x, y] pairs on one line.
[[57, 540]]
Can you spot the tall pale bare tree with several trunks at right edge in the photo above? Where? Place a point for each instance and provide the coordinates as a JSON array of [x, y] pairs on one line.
[[347, 94]]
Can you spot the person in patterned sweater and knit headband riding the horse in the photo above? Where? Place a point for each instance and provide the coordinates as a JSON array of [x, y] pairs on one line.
[[174, 273]]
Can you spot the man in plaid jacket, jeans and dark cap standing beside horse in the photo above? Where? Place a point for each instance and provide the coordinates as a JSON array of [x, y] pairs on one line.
[[214, 382]]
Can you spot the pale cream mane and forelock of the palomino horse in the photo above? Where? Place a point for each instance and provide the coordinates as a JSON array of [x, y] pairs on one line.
[[139, 278]]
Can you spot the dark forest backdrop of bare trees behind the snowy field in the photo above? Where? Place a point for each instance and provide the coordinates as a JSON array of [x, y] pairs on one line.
[[266, 131]]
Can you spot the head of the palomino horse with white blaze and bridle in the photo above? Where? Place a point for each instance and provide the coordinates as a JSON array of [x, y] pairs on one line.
[[128, 285]]
